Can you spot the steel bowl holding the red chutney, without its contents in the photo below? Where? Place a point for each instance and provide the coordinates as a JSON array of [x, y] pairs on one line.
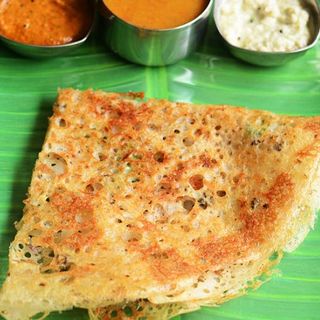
[[40, 51]]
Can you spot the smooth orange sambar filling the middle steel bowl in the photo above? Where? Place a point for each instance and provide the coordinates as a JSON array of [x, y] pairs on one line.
[[156, 14]]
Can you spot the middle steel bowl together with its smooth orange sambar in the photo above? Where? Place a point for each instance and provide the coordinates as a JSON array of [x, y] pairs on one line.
[[153, 32]]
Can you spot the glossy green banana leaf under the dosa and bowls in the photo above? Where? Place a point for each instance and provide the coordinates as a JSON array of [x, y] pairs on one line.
[[211, 75]]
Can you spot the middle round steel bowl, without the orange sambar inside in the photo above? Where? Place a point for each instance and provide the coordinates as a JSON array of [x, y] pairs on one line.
[[153, 47]]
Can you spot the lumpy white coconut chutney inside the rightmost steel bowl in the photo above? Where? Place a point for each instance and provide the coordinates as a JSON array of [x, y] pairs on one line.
[[264, 25]]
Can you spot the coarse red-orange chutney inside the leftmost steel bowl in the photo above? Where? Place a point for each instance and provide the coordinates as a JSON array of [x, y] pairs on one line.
[[45, 22]]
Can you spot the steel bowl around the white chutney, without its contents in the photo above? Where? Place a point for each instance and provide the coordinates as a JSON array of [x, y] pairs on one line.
[[274, 58]]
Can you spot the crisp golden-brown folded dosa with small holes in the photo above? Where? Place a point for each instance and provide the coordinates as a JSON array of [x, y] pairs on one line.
[[165, 201]]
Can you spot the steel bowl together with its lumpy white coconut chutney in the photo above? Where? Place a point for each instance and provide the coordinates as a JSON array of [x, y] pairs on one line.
[[268, 33]]
